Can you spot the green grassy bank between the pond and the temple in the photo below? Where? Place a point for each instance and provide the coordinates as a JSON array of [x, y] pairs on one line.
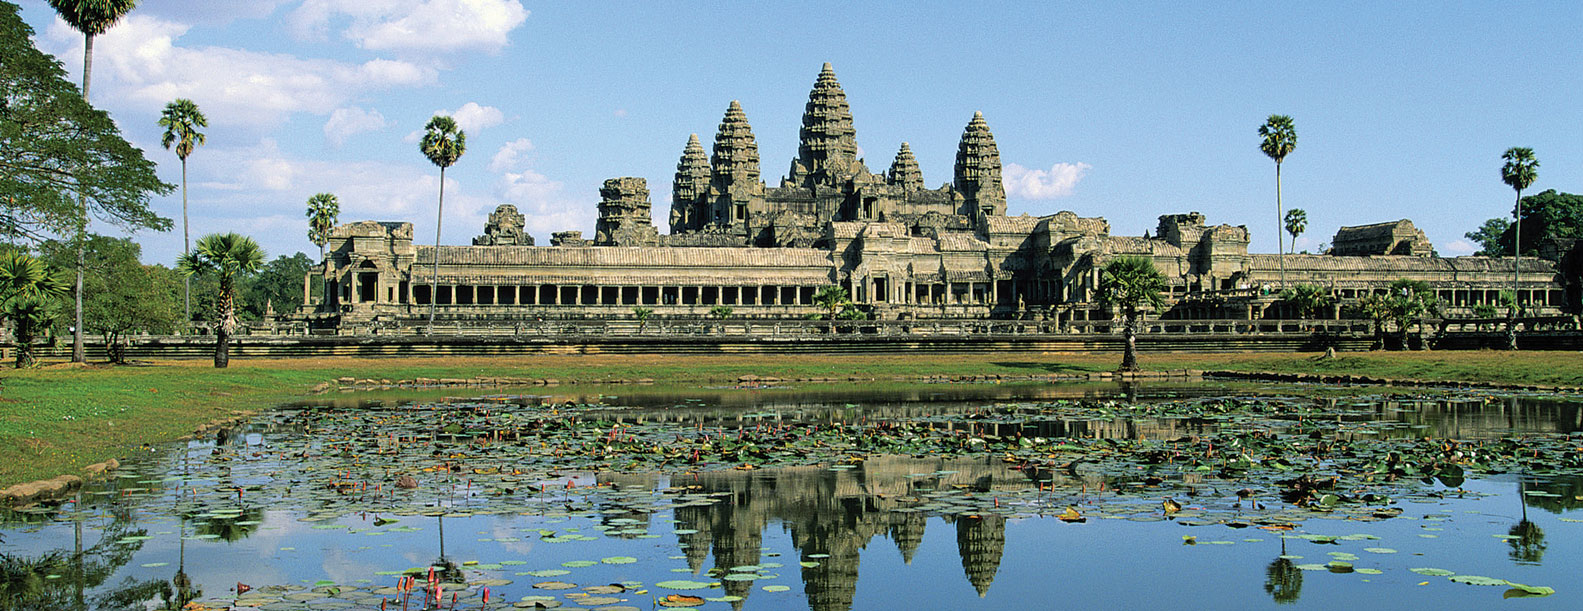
[[56, 420]]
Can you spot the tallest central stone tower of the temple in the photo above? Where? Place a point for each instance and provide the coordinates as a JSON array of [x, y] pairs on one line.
[[827, 143]]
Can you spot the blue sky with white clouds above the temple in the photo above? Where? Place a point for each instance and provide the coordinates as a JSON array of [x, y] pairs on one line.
[[1125, 112]]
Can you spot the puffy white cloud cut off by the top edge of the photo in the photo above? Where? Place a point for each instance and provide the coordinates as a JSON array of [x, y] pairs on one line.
[[414, 25]]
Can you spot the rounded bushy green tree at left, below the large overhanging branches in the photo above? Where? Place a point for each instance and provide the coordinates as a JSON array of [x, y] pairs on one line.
[[121, 295]]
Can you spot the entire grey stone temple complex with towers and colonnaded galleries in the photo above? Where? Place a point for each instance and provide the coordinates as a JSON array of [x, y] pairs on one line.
[[900, 249]]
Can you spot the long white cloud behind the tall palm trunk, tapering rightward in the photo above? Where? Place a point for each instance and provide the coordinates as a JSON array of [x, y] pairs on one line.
[[142, 61]]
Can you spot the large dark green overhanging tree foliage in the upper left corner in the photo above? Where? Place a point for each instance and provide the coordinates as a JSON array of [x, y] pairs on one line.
[[56, 148]]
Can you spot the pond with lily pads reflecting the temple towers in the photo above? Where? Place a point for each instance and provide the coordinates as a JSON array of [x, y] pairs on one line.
[[833, 498]]
